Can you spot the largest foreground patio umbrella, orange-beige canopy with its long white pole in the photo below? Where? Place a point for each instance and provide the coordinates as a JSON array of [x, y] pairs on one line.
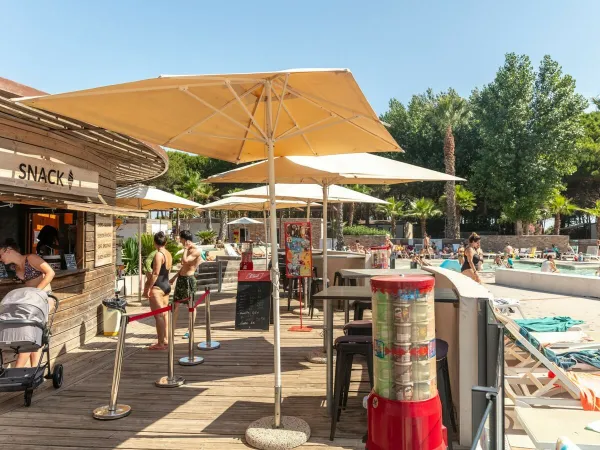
[[238, 117]]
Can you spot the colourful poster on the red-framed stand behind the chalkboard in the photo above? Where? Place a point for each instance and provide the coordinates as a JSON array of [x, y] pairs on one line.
[[298, 250]]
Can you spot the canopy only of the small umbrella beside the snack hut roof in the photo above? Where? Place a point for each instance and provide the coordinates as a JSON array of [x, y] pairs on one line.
[[150, 198]]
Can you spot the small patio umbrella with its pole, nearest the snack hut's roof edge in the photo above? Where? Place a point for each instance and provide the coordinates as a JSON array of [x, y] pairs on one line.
[[148, 198]]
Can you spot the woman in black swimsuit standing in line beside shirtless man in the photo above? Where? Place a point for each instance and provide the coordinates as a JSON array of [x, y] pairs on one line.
[[158, 288]]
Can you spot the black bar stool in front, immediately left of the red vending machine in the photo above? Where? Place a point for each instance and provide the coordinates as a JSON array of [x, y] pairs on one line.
[[347, 347]]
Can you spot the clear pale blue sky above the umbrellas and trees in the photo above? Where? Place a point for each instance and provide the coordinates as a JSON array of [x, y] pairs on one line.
[[394, 48]]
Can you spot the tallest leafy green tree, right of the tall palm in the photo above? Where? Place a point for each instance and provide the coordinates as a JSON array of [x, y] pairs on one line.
[[529, 125]]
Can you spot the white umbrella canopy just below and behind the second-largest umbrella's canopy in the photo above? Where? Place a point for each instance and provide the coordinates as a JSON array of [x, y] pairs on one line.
[[307, 192]]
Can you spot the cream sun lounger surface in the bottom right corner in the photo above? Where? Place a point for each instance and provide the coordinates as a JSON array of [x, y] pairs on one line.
[[546, 426]]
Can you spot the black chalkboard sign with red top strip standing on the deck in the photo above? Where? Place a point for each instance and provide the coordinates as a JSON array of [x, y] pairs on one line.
[[253, 300]]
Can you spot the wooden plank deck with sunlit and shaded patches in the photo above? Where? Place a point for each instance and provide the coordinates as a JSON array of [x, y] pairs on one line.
[[220, 399]]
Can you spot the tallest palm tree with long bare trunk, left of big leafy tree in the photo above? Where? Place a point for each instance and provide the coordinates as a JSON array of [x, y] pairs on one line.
[[449, 112]]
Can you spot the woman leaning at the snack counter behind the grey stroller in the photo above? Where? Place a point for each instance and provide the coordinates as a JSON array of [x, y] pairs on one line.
[[33, 271]]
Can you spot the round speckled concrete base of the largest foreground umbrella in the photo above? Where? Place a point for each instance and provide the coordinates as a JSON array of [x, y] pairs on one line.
[[293, 433]]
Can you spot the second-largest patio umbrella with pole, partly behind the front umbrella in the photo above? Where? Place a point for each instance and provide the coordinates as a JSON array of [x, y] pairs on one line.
[[325, 170]]
